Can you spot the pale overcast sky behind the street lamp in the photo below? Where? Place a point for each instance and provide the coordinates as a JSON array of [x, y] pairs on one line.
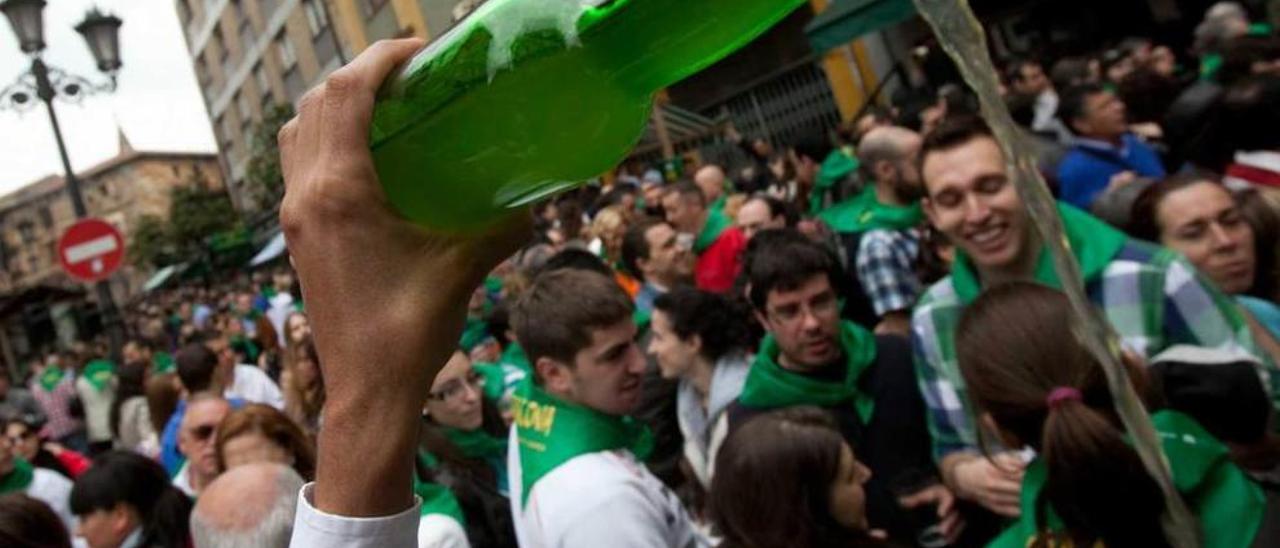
[[158, 103]]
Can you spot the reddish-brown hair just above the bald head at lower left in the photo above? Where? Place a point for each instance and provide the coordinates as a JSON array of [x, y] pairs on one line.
[[272, 424]]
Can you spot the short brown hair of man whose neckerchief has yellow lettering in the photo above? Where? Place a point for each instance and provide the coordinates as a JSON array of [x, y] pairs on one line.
[[556, 317]]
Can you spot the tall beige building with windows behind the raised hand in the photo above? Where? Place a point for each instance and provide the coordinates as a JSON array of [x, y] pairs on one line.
[[250, 56]]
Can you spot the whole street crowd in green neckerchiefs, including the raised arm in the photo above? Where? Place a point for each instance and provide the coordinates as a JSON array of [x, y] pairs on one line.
[[847, 341]]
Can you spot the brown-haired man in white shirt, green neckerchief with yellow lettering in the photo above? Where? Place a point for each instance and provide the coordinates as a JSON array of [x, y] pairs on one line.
[[575, 458]]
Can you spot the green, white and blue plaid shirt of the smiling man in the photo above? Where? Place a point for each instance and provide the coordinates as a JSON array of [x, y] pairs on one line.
[[1153, 298]]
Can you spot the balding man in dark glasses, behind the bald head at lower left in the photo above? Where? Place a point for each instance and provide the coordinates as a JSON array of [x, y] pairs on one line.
[[196, 442]]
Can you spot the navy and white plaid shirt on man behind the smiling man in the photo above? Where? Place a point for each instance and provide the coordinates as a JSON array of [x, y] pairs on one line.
[[886, 268]]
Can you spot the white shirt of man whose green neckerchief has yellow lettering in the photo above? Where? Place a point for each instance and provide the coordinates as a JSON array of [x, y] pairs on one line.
[[597, 500]]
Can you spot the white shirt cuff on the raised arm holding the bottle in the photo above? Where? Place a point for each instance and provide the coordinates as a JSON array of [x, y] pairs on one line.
[[317, 529]]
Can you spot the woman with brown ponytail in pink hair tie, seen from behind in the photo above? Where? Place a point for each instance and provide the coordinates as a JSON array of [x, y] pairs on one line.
[[1036, 386]]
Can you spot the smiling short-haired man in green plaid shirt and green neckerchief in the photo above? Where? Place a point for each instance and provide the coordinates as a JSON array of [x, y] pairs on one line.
[[1153, 298]]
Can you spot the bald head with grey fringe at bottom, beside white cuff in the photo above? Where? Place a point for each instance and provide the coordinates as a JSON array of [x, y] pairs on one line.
[[248, 506]]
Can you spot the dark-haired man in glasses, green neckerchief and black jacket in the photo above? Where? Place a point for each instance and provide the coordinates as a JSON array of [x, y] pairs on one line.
[[811, 358]]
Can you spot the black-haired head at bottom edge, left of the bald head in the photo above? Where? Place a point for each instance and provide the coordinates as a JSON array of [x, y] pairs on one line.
[[126, 500]]
